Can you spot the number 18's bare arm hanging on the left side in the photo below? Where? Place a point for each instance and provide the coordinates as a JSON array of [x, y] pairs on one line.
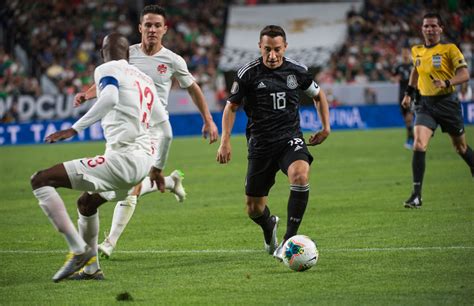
[[224, 153]]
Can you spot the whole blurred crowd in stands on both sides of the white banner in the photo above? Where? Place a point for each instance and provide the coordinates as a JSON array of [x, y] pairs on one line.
[[54, 45]]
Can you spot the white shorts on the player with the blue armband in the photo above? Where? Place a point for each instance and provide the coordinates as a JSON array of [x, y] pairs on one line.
[[113, 171]]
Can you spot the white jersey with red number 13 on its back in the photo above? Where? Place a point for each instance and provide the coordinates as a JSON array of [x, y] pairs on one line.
[[126, 125]]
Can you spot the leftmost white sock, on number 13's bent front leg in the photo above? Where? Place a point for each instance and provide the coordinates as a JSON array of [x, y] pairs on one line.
[[53, 207]]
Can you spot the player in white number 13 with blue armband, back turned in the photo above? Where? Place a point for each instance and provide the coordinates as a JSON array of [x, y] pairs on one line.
[[127, 105]]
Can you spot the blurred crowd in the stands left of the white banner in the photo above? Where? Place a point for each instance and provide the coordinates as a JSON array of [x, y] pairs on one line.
[[54, 48]]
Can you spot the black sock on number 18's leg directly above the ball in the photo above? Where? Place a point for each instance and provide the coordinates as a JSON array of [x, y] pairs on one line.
[[296, 206]]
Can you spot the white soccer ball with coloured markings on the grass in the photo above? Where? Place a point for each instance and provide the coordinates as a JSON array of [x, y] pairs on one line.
[[300, 253]]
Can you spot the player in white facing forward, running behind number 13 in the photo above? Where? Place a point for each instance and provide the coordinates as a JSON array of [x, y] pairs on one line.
[[161, 64]]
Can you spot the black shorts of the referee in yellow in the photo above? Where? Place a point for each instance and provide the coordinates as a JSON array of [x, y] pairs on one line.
[[444, 110]]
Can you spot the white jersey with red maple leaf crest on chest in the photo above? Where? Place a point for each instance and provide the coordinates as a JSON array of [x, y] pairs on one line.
[[161, 67]]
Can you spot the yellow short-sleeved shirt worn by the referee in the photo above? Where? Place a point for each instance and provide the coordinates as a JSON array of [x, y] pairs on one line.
[[438, 62]]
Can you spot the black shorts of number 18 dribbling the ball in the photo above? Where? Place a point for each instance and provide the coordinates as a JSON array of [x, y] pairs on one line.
[[261, 171]]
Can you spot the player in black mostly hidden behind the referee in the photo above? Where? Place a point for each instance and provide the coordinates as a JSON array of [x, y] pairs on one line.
[[402, 74]]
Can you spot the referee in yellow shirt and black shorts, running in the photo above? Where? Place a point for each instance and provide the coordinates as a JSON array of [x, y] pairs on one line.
[[437, 68]]
